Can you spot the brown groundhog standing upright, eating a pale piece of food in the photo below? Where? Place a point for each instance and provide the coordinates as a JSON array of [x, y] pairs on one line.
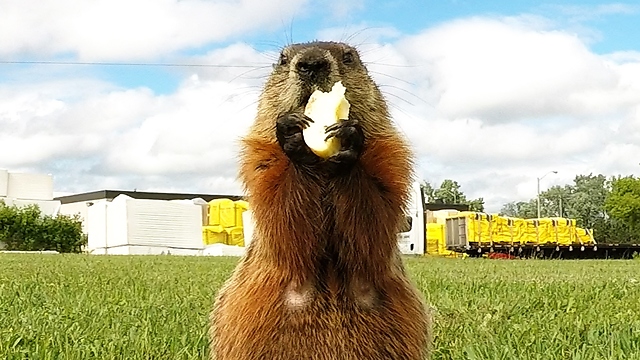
[[322, 278]]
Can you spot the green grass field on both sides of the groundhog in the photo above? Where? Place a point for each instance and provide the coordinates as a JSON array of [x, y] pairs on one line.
[[94, 307]]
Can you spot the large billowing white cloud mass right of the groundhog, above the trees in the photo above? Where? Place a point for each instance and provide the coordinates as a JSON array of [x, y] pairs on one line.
[[494, 103]]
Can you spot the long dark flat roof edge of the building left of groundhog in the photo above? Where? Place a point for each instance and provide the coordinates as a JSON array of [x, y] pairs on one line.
[[111, 194]]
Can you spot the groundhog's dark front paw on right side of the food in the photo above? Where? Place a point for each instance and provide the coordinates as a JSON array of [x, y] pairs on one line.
[[351, 137]]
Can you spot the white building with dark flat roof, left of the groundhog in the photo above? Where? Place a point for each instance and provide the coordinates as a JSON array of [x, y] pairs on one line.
[[137, 223]]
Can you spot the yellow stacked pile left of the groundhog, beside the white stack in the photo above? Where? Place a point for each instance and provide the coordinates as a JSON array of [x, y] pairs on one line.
[[224, 222]]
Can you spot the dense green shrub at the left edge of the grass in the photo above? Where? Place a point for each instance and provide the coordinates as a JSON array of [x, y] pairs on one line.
[[26, 229]]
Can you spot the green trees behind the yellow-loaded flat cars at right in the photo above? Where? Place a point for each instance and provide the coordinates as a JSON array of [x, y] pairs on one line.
[[608, 205]]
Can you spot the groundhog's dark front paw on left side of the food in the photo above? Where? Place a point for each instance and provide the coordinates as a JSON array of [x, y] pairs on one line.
[[289, 134]]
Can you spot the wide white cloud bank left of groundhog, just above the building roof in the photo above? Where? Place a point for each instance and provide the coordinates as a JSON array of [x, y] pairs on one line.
[[131, 138]]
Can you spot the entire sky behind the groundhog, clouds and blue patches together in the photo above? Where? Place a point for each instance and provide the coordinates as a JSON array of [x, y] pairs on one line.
[[492, 94]]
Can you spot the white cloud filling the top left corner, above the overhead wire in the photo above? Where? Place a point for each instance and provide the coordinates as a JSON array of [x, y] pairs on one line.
[[131, 29]]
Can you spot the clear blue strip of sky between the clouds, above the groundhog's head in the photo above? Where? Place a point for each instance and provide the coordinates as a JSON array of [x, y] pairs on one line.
[[608, 25]]
